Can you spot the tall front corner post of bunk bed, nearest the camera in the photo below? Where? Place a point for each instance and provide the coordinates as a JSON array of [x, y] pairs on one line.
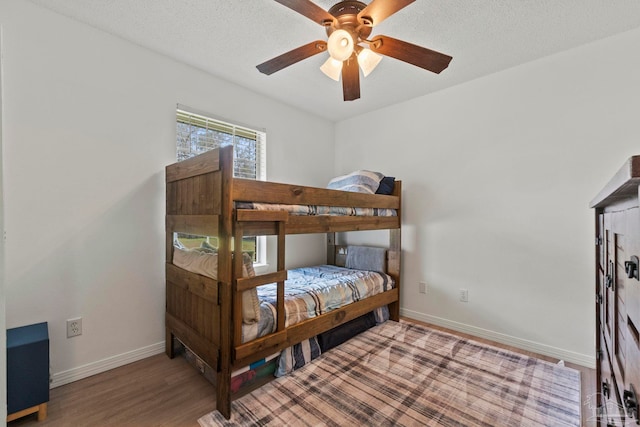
[[225, 278]]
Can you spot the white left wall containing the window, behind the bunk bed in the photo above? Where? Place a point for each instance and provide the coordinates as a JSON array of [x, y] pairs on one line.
[[89, 125]]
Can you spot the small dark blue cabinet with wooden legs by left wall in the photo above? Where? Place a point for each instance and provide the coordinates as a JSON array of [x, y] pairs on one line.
[[27, 371]]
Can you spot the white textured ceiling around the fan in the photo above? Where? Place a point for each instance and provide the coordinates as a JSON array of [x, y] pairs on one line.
[[228, 38]]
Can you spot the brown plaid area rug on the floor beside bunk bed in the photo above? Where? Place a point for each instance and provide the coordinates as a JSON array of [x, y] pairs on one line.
[[409, 375]]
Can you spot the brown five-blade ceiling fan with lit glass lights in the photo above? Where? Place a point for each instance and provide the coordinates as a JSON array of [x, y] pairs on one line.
[[348, 25]]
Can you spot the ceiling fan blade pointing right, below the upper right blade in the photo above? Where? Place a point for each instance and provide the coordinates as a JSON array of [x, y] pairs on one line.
[[411, 53]]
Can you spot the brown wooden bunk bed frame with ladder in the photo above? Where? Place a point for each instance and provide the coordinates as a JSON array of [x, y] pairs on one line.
[[205, 314]]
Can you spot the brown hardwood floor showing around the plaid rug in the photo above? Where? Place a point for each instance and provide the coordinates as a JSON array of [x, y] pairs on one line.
[[159, 391]]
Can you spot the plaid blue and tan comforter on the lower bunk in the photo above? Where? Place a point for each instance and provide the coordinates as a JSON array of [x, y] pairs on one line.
[[311, 291]]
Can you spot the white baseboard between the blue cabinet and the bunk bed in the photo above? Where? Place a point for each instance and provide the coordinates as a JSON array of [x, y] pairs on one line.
[[75, 374]]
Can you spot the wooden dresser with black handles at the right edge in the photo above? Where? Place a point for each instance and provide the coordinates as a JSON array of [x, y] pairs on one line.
[[617, 242]]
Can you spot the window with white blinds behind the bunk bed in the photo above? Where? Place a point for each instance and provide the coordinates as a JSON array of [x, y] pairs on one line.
[[197, 133]]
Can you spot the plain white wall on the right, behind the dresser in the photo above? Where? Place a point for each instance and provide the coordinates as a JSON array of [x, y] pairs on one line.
[[498, 174]]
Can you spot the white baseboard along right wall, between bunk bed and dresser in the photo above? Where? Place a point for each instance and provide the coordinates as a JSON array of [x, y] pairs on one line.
[[536, 347]]
